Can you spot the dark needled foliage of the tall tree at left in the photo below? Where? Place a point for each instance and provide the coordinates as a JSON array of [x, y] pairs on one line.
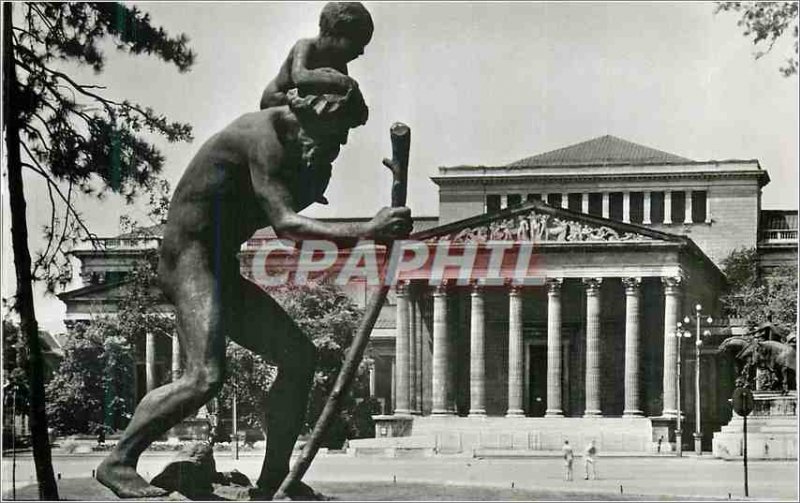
[[76, 137]]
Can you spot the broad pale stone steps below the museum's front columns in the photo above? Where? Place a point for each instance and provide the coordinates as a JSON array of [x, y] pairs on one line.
[[511, 437]]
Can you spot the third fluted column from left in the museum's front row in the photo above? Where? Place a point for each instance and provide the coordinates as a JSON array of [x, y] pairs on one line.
[[477, 354]]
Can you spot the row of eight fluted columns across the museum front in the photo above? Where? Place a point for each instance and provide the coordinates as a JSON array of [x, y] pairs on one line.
[[443, 354]]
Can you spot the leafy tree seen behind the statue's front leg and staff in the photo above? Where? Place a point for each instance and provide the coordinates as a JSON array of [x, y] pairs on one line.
[[330, 318]]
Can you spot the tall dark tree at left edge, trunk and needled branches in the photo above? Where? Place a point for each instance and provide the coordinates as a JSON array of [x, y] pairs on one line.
[[77, 139]]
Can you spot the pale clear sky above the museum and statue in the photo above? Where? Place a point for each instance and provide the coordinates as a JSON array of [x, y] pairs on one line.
[[478, 83]]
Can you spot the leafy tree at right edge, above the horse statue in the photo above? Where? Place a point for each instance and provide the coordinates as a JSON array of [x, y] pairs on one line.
[[755, 298]]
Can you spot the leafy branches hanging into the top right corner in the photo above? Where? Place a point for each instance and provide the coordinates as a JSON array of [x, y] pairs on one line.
[[766, 22]]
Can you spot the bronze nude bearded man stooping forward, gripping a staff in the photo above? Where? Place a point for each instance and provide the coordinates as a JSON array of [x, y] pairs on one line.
[[260, 170]]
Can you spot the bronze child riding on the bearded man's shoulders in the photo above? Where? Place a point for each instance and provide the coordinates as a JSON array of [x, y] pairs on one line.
[[319, 65]]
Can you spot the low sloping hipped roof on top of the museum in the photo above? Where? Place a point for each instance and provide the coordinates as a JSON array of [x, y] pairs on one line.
[[604, 149]]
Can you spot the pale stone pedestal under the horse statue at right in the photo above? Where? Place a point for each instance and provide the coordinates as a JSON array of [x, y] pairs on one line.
[[771, 429]]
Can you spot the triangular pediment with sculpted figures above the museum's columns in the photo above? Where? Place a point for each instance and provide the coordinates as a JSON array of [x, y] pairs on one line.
[[540, 223]]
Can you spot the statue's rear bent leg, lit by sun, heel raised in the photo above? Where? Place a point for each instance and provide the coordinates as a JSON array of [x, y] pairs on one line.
[[203, 340]]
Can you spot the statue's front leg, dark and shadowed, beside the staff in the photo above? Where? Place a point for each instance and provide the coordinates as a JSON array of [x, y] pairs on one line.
[[267, 330]]
